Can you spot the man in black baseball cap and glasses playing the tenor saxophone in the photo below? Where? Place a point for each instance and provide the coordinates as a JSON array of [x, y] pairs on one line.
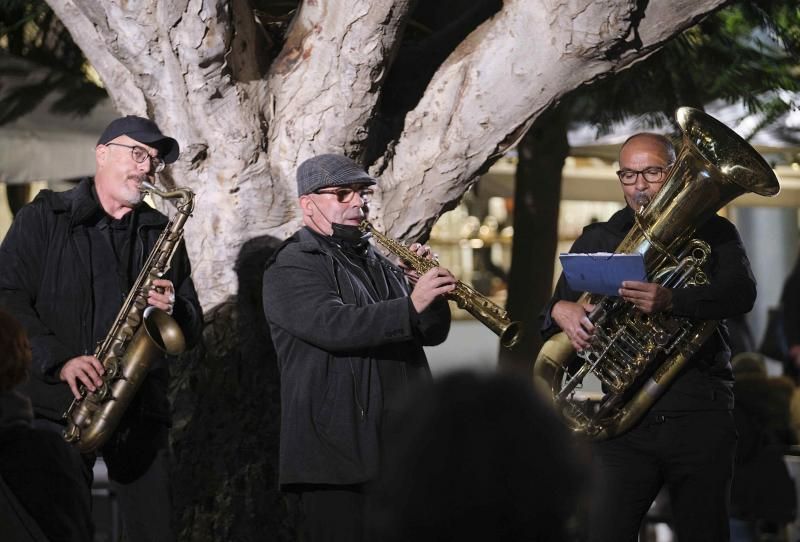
[[69, 260]]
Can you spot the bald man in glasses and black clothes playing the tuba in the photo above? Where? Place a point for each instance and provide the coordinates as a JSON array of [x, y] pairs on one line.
[[687, 440]]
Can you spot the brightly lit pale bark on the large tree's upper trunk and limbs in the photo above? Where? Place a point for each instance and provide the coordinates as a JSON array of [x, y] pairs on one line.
[[178, 62]]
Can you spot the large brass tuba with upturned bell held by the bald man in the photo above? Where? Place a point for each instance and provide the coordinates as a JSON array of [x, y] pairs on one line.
[[636, 356]]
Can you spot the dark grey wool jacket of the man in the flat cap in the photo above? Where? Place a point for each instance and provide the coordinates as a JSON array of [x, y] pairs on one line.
[[335, 331]]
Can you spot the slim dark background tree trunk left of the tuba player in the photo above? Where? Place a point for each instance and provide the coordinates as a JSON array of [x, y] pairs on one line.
[[536, 204]]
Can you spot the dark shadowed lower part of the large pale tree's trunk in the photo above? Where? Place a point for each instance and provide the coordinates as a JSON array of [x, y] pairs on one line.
[[225, 397]]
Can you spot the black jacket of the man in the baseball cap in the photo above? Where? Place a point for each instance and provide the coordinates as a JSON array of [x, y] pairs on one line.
[[46, 283]]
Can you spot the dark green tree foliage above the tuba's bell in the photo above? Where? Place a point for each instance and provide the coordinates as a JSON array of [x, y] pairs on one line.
[[745, 53]]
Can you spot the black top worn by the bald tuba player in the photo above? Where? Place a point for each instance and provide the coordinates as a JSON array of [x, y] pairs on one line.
[[706, 381]]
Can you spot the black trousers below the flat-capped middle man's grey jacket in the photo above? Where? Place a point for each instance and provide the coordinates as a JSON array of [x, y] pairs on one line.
[[332, 513]]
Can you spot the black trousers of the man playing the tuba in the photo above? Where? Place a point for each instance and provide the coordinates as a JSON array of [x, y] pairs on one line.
[[691, 453]]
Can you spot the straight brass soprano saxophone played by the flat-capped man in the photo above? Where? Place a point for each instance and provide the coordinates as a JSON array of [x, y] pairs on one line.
[[465, 296]]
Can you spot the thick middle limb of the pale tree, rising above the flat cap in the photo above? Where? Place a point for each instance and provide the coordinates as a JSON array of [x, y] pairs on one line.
[[325, 84]]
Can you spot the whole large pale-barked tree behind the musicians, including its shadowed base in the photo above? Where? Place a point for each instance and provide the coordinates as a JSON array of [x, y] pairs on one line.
[[245, 118]]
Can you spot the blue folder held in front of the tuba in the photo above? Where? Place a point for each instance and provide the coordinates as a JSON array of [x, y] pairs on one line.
[[601, 272]]
